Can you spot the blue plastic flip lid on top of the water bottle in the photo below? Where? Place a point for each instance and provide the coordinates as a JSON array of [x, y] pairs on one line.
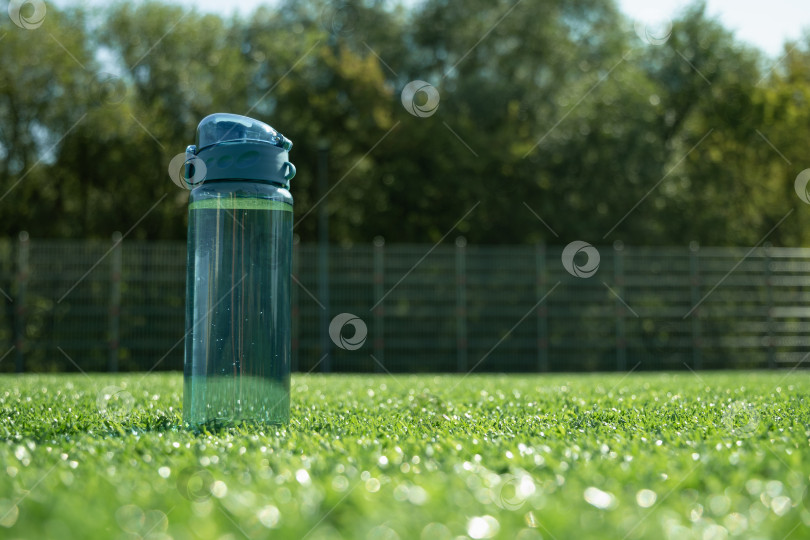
[[234, 147]]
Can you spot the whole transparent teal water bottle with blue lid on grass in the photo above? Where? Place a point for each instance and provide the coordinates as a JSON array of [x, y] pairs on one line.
[[237, 345]]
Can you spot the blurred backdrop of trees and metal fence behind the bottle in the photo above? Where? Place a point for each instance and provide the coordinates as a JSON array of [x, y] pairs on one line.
[[671, 143]]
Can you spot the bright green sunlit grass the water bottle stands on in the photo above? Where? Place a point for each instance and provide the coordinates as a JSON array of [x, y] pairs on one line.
[[722, 455]]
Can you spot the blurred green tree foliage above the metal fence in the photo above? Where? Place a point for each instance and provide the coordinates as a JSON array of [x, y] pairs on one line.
[[553, 108]]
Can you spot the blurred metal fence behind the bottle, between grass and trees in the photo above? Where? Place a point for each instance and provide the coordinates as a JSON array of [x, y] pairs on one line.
[[115, 305]]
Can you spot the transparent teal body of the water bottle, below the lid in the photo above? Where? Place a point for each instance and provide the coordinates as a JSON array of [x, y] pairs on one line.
[[237, 347]]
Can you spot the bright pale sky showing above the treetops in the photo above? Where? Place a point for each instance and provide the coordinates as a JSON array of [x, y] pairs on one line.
[[764, 23]]
